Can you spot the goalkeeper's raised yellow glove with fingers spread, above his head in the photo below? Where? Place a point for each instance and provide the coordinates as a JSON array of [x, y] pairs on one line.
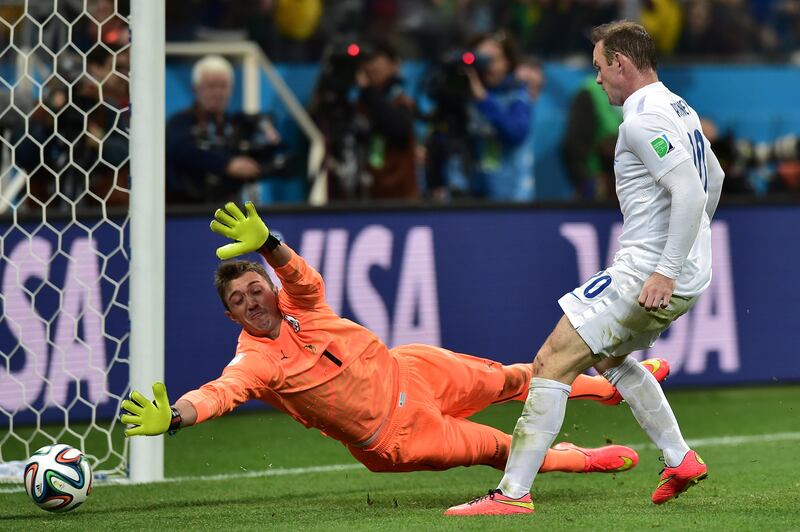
[[249, 231]]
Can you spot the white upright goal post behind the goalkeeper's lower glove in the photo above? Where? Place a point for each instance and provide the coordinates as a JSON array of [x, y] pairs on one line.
[[147, 215]]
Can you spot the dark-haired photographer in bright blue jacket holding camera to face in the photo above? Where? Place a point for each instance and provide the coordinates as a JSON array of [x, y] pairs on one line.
[[499, 121]]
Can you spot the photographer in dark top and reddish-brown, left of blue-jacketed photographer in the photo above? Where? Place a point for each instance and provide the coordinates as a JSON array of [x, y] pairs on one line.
[[389, 115]]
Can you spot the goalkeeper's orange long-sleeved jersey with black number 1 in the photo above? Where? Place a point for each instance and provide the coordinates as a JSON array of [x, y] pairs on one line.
[[325, 371]]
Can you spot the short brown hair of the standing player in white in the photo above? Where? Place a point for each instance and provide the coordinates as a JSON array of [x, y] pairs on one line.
[[629, 39]]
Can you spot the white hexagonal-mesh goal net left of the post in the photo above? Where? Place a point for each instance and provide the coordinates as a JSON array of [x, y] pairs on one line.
[[64, 229]]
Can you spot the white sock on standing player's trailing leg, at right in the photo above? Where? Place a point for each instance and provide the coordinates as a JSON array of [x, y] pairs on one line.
[[650, 408]]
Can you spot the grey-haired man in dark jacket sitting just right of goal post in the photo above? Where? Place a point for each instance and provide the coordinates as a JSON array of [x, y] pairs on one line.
[[211, 154]]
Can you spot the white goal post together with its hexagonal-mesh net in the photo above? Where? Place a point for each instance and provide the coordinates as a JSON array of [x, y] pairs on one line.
[[81, 244]]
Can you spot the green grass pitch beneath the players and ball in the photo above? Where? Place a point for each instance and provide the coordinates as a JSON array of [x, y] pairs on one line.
[[257, 477]]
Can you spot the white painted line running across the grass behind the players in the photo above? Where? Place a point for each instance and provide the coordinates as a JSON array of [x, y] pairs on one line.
[[720, 441]]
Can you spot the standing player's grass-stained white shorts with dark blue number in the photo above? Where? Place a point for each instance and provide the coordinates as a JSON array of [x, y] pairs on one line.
[[606, 313]]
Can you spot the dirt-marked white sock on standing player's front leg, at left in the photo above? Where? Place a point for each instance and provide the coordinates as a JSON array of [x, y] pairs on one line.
[[536, 429]]
